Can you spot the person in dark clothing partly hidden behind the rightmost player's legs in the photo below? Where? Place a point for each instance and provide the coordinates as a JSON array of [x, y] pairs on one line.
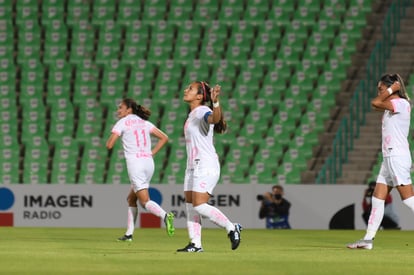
[[390, 220]]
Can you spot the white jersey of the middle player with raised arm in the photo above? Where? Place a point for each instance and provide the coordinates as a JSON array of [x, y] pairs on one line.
[[199, 137]]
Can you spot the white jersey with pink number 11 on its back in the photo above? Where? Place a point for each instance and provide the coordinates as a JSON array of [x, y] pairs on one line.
[[135, 134]]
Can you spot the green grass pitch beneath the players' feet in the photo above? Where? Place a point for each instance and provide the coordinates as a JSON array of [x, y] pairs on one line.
[[96, 251]]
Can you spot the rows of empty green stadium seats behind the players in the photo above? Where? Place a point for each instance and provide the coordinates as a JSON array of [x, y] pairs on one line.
[[280, 64]]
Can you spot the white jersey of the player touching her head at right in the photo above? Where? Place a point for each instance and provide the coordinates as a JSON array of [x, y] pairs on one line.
[[395, 129]]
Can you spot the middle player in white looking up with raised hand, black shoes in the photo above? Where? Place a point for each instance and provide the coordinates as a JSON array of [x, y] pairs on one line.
[[203, 167]]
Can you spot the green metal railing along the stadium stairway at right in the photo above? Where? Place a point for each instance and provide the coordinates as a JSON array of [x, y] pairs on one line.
[[360, 103]]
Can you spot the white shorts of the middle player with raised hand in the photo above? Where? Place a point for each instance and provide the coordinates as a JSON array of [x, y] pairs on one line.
[[202, 179]]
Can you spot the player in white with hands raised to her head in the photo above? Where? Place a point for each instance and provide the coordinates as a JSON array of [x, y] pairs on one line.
[[393, 100]]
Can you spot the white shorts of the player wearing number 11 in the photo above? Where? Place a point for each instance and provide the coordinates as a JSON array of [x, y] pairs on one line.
[[140, 171]]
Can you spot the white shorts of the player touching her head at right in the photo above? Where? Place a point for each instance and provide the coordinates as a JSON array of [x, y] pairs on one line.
[[395, 171]]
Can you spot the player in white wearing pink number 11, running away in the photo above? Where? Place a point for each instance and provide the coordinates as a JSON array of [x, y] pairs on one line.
[[134, 129]]
